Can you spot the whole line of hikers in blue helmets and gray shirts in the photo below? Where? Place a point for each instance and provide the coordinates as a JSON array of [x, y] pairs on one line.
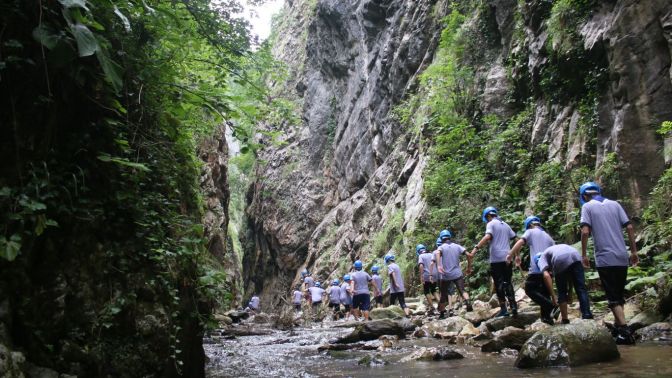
[[601, 218]]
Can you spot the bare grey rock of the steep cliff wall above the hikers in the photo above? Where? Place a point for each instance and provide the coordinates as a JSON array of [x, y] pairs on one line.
[[333, 182]]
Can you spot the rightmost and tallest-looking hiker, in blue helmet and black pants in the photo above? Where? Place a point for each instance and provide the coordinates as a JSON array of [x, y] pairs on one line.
[[604, 219]]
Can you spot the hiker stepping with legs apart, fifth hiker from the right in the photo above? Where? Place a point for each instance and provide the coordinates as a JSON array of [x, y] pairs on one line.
[[447, 258]]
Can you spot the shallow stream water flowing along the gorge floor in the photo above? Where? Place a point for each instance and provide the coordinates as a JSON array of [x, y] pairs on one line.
[[295, 354]]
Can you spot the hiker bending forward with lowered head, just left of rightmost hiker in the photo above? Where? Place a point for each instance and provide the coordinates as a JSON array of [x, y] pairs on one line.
[[565, 263]]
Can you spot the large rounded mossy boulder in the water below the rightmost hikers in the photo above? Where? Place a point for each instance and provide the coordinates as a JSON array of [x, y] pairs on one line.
[[579, 343]]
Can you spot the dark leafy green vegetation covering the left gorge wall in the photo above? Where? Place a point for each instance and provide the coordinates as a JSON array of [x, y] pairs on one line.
[[102, 252]]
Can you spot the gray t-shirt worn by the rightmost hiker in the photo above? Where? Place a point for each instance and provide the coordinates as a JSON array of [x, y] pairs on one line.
[[606, 220]]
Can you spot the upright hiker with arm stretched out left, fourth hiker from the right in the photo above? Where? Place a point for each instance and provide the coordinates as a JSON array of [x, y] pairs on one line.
[[498, 234]]
